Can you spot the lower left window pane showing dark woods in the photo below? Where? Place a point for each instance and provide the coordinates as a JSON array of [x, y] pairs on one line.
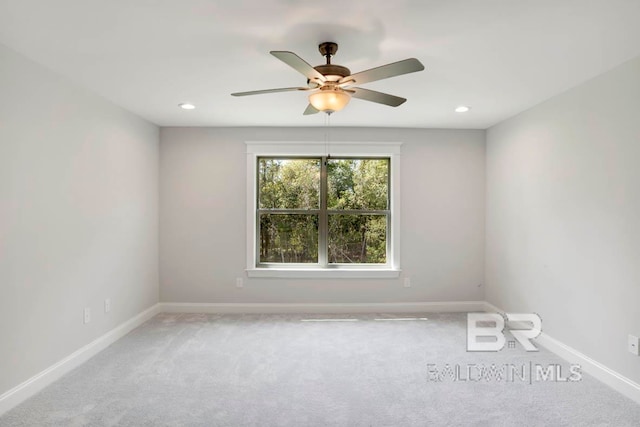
[[288, 238]]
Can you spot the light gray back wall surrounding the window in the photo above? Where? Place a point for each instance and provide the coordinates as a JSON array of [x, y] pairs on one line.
[[202, 218]]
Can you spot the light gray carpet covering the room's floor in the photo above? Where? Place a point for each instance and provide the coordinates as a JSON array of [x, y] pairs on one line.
[[276, 370]]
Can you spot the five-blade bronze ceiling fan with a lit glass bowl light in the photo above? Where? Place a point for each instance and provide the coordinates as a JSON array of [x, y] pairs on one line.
[[331, 86]]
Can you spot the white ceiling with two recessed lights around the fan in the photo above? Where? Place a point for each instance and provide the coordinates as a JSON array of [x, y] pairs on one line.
[[498, 56]]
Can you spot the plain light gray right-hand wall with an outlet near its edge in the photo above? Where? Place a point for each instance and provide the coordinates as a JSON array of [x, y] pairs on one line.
[[563, 216]]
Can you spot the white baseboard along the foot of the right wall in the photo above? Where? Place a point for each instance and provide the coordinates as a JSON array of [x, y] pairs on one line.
[[613, 379]]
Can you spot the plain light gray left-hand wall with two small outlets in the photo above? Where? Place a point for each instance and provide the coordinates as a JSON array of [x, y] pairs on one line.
[[78, 217]]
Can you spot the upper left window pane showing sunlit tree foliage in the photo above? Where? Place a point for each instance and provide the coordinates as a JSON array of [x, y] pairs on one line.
[[289, 183]]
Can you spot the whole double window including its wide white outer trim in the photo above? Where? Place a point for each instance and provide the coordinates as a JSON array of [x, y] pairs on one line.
[[317, 215]]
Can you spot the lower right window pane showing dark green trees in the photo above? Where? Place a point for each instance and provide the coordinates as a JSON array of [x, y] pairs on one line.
[[357, 239]]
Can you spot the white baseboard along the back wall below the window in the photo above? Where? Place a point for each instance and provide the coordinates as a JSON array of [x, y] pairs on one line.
[[328, 308]]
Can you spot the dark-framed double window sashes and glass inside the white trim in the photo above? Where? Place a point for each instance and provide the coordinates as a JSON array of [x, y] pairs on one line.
[[324, 211]]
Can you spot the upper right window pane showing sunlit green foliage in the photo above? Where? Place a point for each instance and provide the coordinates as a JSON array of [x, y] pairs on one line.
[[358, 184]]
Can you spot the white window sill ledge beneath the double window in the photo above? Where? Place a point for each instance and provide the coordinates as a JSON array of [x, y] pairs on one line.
[[323, 273]]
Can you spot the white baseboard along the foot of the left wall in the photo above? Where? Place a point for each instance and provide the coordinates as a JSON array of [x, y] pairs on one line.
[[36, 383]]
